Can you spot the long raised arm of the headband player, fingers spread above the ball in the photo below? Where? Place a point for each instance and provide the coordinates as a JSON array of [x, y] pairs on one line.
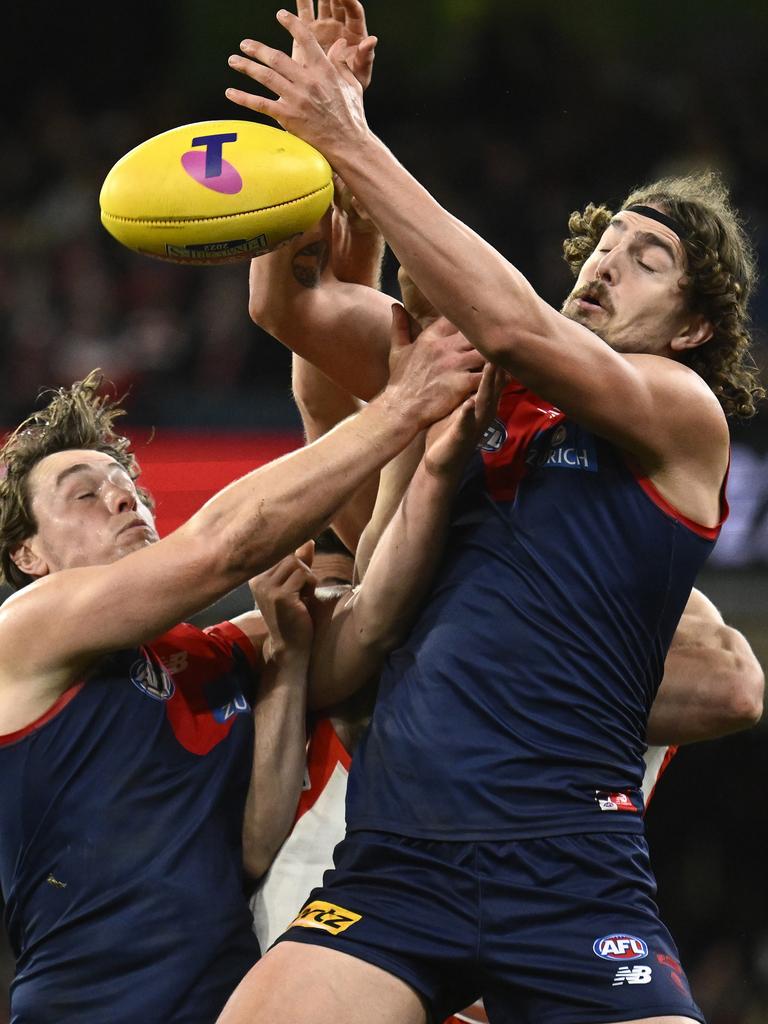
[[660, 414]]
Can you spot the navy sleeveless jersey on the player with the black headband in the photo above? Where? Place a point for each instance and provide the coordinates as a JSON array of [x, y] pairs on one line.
[[518, 707]]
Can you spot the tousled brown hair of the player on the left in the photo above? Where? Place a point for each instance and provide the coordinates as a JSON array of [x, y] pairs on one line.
[[77, 417]]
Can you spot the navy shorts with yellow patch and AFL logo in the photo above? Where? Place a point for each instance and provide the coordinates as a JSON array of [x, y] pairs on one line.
[[548, 931]]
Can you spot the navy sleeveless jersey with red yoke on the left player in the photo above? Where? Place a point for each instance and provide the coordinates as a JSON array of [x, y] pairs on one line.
[[121, 818]]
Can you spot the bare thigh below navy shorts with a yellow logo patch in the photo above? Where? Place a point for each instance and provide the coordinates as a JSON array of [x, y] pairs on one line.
[[297, 984]]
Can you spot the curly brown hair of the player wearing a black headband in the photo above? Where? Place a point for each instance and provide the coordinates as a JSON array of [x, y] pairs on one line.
[[721, 274]]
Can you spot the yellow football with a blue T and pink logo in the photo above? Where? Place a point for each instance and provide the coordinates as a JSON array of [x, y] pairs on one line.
[[216, 192]]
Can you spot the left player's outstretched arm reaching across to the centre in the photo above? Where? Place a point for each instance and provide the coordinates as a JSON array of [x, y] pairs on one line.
[[56, 628]]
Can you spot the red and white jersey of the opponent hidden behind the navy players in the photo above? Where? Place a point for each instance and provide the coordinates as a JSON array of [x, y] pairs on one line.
[[320, 826]]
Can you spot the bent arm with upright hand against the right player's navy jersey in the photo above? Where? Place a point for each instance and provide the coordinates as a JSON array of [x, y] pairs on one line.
[[351, 646]]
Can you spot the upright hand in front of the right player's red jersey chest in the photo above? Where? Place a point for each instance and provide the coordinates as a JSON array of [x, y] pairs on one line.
[[451, 442]]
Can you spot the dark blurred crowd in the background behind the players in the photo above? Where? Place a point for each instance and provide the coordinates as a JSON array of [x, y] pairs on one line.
[[514, 113]]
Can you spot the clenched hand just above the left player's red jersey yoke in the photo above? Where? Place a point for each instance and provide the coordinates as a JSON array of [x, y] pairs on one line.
[[281, 595]]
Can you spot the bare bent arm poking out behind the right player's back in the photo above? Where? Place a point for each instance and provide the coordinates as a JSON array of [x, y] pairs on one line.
[[713, 685]]
